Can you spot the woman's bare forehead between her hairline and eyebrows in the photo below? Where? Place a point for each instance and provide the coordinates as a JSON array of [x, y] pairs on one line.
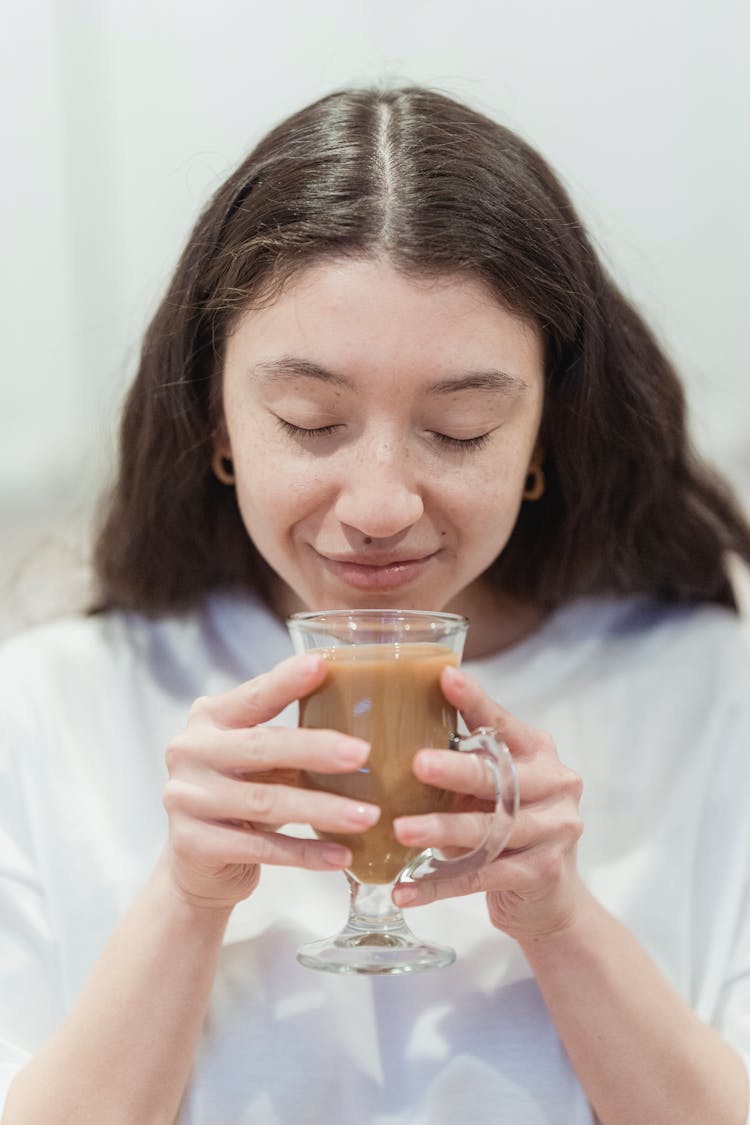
[[356, 314]]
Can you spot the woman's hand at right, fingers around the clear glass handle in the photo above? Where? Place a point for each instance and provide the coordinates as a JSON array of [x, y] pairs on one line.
[[534, 887]]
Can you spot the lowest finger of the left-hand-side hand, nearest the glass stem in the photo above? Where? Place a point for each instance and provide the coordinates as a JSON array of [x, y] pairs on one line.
[[218, 845]]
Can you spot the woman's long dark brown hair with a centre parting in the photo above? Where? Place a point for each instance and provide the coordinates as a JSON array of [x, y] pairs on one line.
[[438, 188]]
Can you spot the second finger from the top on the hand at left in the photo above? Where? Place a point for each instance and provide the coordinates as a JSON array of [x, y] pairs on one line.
[[261, 750]]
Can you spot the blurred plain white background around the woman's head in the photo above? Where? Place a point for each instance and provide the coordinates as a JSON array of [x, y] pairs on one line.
[[120, 118]]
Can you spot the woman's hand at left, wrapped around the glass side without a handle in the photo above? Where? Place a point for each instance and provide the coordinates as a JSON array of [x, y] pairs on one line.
[[233, 781]]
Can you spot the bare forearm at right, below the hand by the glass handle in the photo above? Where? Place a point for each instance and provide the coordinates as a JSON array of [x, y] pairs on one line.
[[639, 1051]]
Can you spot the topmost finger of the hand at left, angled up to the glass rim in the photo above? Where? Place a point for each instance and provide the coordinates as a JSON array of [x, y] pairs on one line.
[[264, 698]]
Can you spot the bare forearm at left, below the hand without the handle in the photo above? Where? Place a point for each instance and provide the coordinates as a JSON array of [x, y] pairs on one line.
[[124, 1056]]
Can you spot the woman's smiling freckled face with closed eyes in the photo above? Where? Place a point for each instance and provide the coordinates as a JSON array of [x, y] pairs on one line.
[[382, 429]]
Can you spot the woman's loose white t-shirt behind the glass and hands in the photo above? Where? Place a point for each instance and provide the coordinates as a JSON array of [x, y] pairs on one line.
[[652, 706]]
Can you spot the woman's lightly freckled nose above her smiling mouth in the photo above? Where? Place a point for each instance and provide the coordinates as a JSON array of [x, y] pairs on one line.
[[379, 497]]
